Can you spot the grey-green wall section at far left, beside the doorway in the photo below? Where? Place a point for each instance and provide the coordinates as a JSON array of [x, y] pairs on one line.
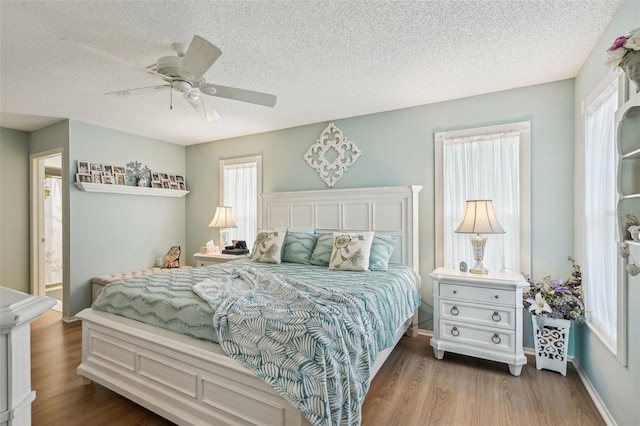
[[14, 208]]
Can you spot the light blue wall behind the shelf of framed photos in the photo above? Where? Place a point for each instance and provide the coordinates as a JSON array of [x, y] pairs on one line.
[[114, 232]]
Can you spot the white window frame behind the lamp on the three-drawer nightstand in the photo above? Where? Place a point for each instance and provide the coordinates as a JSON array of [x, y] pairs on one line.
[[524, 128]]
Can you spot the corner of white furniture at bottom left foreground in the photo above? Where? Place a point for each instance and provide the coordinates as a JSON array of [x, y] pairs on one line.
[[17, 311]]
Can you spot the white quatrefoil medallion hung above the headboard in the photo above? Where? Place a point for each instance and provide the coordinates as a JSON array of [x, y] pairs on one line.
[[332, 154]]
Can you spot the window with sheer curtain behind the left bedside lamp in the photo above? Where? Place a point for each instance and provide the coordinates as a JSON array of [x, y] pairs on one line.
[[240, 185]]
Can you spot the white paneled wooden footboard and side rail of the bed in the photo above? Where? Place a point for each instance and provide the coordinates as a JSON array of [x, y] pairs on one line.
[[186, 380]]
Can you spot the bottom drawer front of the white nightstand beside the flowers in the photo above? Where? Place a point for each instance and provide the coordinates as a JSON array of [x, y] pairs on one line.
[[496, 339]]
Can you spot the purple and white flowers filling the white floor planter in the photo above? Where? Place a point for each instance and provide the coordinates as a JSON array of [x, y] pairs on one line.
[[557, 298]]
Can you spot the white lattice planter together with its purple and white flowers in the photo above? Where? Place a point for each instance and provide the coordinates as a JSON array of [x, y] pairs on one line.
[[554, 303]]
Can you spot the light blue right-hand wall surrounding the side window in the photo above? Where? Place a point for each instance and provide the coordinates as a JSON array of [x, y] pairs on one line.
[[618, 386]]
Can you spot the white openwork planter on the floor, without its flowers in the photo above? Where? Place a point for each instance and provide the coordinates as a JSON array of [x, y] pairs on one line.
[[551, 337]]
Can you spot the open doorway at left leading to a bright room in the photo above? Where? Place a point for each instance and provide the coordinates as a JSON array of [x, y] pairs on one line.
[[47, 226]]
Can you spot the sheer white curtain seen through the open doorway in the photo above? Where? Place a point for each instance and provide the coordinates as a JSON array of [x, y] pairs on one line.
[[53, 231]]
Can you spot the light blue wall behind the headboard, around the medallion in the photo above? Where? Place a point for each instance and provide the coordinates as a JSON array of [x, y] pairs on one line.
[[398, 149]]
